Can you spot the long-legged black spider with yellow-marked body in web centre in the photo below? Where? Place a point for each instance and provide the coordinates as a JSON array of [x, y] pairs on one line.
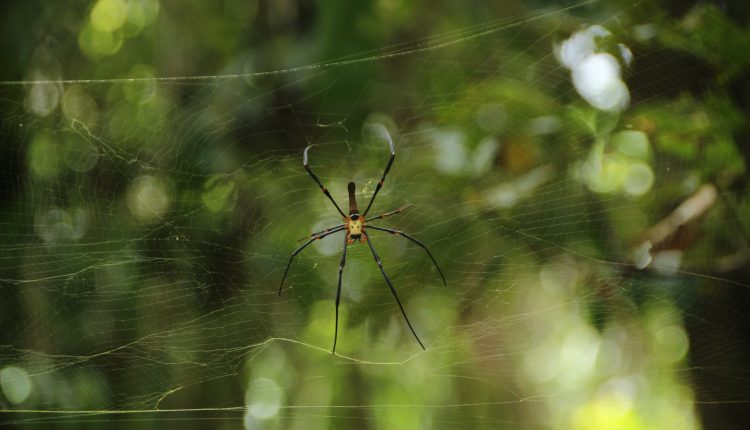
[[355, 226]]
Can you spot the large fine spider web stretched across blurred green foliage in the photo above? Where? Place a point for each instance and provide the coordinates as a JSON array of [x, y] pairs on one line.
[[596, 256]]
